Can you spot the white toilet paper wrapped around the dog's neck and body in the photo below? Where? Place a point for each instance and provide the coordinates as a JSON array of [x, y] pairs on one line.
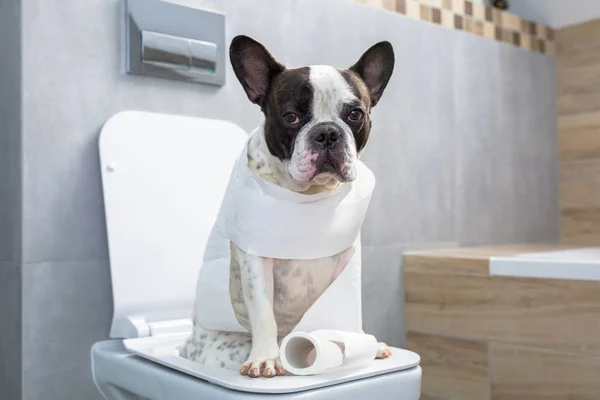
[[267, 220]]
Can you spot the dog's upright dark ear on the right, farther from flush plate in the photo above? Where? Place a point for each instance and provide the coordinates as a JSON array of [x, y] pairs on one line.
[[375, 67]]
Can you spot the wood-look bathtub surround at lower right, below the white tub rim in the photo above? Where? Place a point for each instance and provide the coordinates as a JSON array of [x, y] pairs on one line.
[[485, 337]]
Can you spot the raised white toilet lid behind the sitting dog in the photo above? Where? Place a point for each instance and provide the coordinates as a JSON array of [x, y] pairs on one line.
[[163, 177]]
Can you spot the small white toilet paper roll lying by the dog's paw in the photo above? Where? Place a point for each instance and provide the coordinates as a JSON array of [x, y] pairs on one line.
[[325, 351]]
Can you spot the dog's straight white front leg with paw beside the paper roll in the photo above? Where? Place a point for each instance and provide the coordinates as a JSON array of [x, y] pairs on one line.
[[256, 275]]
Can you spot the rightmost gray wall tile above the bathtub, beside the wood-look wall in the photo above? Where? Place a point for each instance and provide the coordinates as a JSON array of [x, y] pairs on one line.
[[508, 169]]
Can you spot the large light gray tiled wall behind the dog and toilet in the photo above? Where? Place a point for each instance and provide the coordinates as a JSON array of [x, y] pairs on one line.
[[464, 150]]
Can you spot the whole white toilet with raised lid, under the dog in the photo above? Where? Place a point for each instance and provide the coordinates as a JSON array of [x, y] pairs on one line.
[[163, 178]]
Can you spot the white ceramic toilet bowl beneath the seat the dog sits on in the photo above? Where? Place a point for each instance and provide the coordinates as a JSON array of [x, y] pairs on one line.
[[120, 375]]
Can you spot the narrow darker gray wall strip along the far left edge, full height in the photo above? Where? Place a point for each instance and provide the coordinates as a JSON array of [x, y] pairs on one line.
[[10, 199]]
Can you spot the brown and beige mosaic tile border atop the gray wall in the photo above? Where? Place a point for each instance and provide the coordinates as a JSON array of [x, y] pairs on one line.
[[477, 18]]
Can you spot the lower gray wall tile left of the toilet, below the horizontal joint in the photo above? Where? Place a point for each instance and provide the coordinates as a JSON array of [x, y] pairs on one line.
[[67, 307]]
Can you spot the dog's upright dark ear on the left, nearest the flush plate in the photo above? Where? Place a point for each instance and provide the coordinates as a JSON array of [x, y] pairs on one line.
[[254, 67]]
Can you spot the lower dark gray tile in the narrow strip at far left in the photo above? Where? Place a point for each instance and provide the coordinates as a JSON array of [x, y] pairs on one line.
[[10, 331]]
